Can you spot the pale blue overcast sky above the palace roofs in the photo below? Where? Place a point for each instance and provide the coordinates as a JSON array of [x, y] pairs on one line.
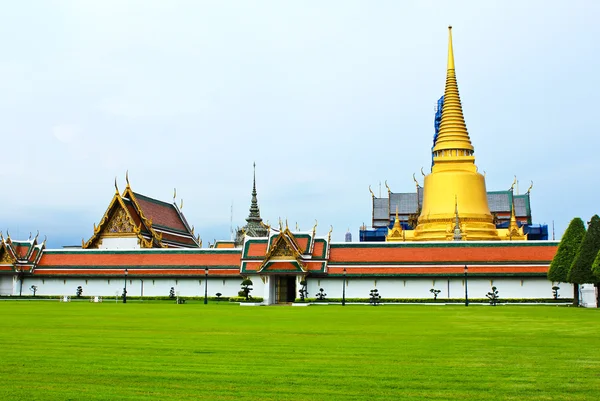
[[327, 97]]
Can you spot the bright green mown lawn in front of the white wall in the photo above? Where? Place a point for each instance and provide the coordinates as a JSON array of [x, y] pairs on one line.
[[108, 351]]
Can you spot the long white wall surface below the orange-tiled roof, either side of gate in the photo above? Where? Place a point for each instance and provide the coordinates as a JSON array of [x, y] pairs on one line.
[[355, 287]]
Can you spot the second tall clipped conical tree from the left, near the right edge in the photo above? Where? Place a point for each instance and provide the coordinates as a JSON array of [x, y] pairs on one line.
[[581, 269]]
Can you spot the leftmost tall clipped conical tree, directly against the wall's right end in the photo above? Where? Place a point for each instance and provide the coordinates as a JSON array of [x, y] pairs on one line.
[[567, 250]]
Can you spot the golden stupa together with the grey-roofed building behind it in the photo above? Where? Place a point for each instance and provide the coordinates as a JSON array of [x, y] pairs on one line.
[[453, 195]]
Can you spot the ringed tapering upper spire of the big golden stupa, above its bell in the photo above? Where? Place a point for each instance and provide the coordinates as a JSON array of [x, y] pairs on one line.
[[453, 139]]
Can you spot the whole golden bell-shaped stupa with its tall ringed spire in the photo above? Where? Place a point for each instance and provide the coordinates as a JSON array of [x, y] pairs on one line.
[[454, 175]]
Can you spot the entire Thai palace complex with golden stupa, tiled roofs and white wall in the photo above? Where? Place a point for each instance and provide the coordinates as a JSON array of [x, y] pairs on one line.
[[433, 238]]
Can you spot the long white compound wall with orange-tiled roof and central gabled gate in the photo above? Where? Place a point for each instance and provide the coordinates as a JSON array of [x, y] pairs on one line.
[[279, 262]]
